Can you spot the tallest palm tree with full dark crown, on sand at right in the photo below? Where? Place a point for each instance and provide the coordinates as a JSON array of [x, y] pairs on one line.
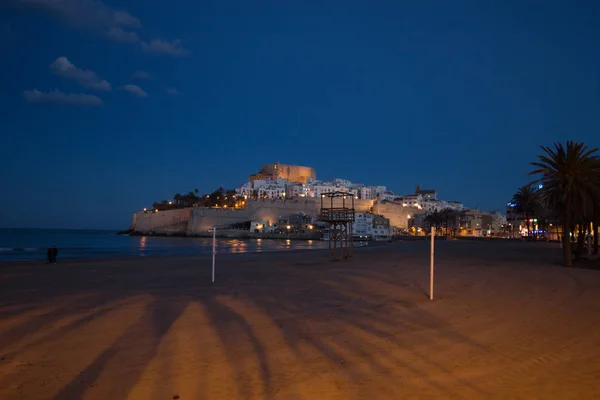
[[570, 179]]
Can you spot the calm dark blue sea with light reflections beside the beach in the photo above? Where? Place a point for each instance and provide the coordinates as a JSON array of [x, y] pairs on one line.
[[31, 244]]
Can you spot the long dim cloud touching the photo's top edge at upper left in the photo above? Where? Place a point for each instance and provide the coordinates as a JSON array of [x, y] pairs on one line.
[[89, 14]]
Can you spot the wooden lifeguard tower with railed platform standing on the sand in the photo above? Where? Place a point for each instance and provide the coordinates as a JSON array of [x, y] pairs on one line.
[[337, 210]]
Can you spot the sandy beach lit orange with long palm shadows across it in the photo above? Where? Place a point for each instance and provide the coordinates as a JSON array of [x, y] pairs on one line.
[[508, 322]]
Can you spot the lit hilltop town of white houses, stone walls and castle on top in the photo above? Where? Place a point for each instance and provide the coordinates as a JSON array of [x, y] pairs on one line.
[[283, 199]]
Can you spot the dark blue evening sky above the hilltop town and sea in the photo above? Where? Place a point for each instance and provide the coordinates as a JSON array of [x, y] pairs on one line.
[[453, 95]]
